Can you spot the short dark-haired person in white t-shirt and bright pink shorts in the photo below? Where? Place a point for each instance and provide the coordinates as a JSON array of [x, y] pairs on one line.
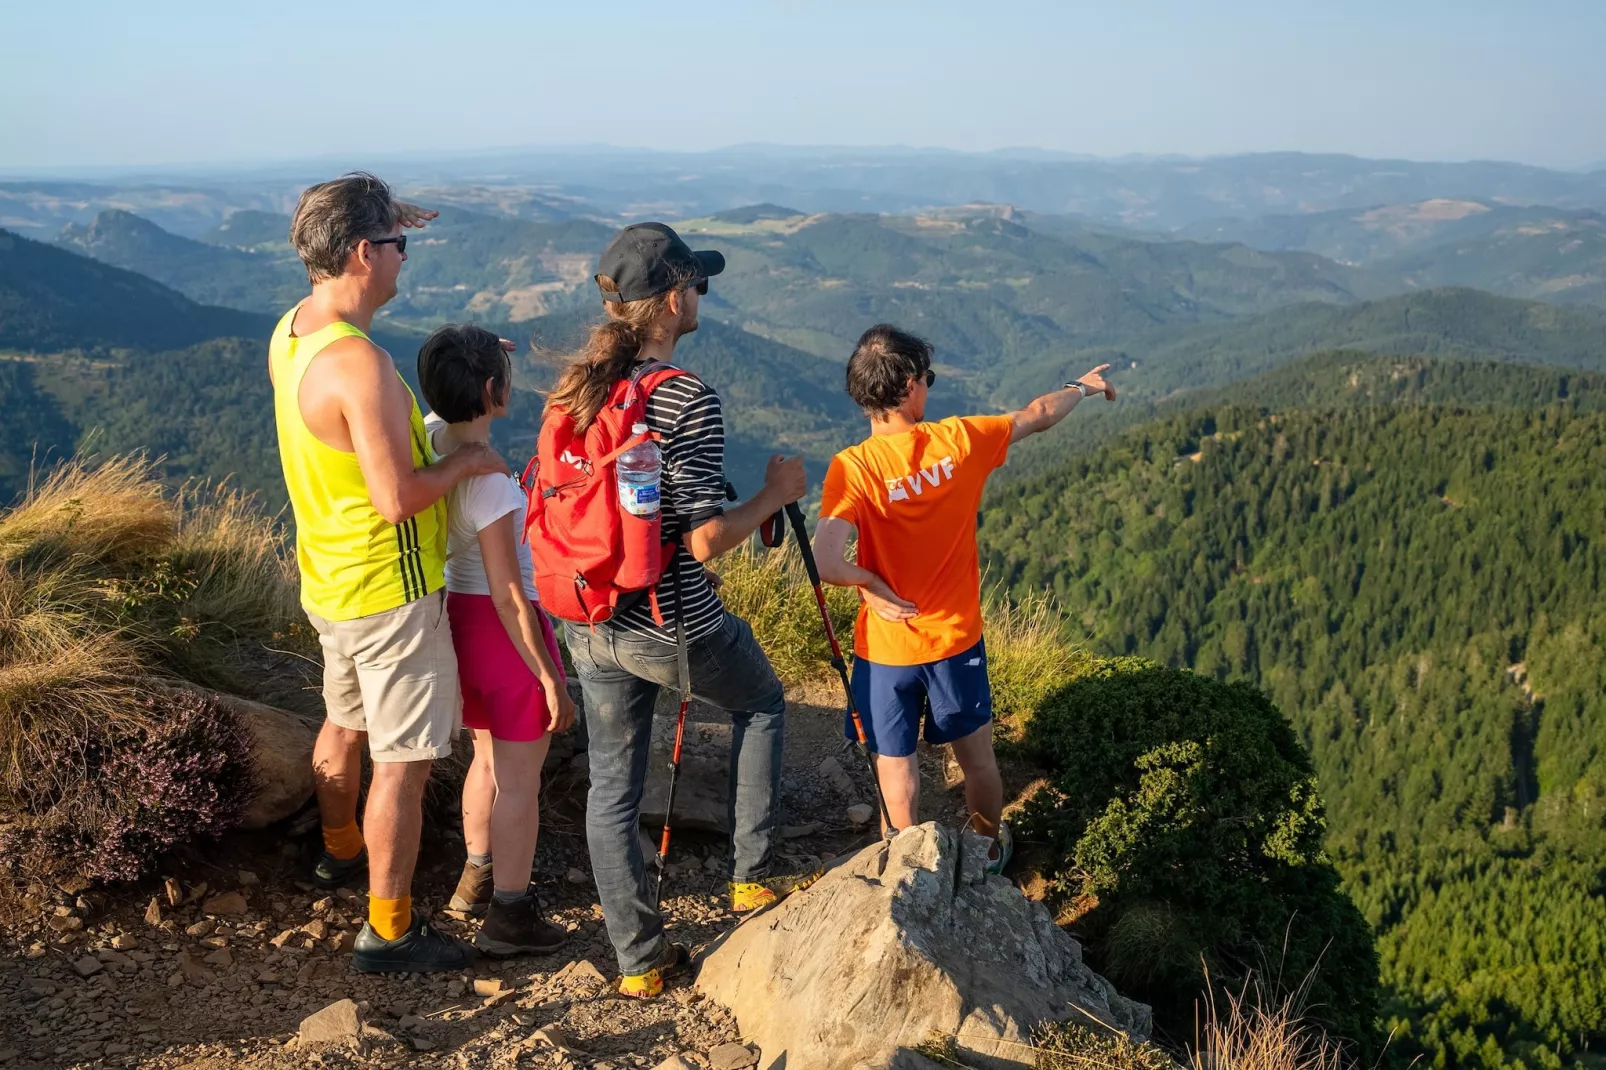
[[513, 684]]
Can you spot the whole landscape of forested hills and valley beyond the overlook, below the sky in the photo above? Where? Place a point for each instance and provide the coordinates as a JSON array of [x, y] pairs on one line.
[[1358, 457]]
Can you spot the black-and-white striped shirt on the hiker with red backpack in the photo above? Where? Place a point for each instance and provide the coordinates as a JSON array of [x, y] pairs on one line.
[[690, 420]]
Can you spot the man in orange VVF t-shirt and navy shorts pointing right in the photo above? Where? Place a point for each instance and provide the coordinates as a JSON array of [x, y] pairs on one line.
[[911, 491]]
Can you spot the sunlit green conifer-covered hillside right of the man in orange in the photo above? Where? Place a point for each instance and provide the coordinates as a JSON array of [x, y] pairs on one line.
[[1421, 587]]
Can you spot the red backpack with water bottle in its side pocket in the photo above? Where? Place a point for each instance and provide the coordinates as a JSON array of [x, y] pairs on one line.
[[587, 550]]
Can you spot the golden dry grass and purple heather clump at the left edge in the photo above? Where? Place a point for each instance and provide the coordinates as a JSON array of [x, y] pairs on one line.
[[113, 590]]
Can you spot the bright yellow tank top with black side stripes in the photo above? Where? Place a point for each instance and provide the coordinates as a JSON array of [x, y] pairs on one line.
[[353, 562]]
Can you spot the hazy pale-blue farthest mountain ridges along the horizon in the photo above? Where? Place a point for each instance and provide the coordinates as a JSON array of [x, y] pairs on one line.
[[1154, 192]]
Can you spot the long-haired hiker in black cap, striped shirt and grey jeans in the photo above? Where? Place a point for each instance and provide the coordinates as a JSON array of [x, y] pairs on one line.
[[651, 284]]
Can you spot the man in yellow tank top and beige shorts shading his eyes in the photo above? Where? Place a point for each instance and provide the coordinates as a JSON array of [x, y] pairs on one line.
[[372, 545]]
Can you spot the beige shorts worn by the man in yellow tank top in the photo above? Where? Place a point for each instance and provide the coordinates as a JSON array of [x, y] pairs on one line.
[[394, 676]]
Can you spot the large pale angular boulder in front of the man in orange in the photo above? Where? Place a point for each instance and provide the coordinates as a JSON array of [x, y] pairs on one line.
[[905, 941]]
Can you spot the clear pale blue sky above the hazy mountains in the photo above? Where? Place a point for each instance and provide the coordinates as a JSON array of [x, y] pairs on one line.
[[100, 84]]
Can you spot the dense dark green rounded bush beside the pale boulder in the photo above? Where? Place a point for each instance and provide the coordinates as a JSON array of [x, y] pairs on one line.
[[1184, 820]]
